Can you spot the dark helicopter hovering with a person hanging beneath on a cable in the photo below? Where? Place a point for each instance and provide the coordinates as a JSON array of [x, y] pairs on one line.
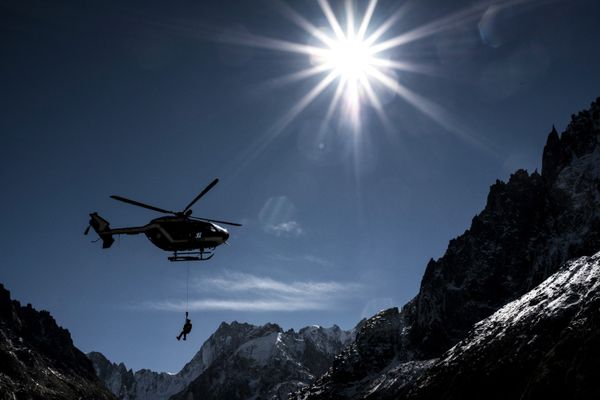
[[189, 238]]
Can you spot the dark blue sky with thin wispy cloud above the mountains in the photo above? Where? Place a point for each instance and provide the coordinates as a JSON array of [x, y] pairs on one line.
[[150, 100]]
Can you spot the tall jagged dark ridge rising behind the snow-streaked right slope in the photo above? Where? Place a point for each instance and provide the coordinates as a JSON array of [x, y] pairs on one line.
[[530, 226]]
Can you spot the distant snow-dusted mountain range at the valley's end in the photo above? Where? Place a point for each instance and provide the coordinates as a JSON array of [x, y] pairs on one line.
[[238, 361]]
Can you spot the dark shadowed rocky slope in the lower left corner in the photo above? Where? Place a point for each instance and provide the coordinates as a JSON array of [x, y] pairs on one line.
[[38, 359]]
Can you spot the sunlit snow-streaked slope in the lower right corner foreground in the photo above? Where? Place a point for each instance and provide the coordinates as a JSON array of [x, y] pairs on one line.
[[546, 344]]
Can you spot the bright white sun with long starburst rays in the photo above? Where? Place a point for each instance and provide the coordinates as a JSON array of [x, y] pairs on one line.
[[356, 61]]
